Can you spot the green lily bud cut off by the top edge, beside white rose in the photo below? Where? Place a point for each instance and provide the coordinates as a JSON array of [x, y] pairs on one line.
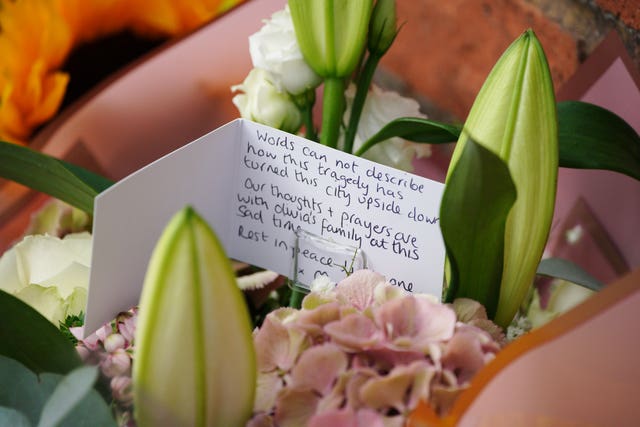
[[331, 33]]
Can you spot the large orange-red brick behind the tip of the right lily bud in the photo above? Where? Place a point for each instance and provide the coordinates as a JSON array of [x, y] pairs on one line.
[[446, 49]]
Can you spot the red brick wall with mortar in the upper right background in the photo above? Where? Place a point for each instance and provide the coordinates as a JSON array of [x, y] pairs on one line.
[[446, 48]]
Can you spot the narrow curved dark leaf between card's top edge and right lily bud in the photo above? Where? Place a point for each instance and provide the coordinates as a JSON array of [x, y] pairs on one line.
[[413, 129]]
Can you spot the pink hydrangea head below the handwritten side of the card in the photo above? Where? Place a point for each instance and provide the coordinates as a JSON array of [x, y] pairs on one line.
[[364, 354]]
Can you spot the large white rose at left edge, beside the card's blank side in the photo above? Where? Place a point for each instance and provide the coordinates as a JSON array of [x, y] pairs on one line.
[[48, 273]]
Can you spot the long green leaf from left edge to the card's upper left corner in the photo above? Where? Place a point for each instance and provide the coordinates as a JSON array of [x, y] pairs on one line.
[[44, 173]]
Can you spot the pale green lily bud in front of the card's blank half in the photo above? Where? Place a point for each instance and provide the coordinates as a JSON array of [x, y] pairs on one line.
[[195, 361]]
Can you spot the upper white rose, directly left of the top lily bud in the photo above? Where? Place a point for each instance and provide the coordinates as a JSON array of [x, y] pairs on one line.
[[275, 49]]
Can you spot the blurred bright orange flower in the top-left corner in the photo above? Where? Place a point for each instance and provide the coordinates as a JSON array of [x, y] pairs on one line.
[[36, 36]]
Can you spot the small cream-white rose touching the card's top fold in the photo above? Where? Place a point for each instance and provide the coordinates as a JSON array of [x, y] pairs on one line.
[[262, 102]]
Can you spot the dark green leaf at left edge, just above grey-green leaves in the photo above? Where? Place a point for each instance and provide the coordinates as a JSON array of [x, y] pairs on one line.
[[29, 338]]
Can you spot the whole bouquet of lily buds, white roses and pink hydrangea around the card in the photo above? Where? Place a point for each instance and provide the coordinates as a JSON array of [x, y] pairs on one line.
[[202, 349]]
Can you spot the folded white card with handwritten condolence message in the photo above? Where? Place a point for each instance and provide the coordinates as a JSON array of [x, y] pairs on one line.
[[256, 186]]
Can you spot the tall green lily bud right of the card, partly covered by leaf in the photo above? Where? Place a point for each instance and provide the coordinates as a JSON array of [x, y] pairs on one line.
[[514, 115]]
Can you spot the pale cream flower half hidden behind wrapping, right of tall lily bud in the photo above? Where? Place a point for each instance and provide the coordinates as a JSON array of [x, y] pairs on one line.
[[564, 296]]
